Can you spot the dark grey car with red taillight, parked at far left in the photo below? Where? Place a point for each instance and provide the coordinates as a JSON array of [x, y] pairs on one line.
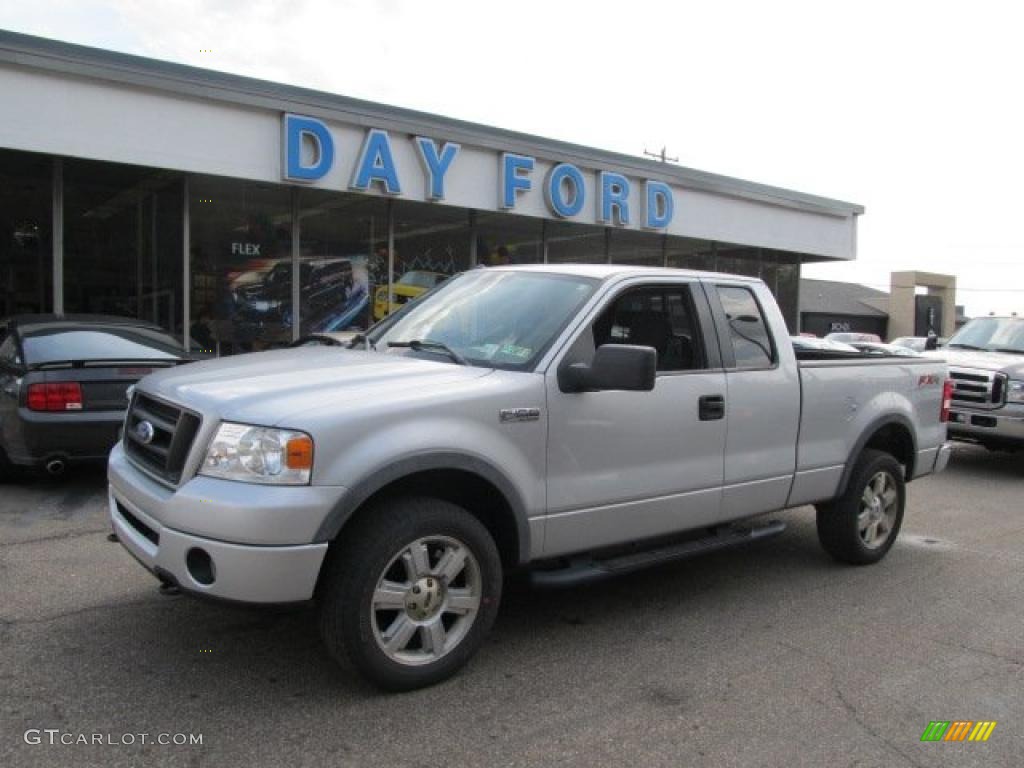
[[63, 385]]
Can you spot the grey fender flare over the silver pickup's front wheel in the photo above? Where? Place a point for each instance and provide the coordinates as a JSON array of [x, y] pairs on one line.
[[367, 487]]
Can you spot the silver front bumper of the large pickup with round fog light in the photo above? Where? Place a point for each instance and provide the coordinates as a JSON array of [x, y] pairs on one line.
[[181, 535]]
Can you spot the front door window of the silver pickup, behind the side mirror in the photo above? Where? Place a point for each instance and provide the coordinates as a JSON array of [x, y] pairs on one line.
[[659, 317]]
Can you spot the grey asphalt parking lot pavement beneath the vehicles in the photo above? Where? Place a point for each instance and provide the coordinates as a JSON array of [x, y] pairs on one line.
[[769, 656]]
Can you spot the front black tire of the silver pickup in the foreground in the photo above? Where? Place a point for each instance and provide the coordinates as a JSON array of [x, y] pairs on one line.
[[370, 550]]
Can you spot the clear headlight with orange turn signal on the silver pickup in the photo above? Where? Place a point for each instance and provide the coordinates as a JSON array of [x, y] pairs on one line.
[[242, 452]]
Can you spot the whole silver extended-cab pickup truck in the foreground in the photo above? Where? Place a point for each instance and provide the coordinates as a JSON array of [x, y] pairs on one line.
[[575, 421]]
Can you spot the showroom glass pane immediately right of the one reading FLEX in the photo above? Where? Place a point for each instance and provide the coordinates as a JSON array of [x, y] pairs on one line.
[[344, 242]]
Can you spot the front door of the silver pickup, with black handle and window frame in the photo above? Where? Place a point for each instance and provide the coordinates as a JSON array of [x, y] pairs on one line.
[[629, 465]]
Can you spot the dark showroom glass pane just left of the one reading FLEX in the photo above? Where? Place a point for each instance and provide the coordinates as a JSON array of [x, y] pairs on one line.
[[122, 242]]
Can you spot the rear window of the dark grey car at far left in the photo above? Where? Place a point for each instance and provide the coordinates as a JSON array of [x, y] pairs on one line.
[[50, 345]]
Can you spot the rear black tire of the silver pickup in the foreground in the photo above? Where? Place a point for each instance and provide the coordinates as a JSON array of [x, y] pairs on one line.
[[841, 523]]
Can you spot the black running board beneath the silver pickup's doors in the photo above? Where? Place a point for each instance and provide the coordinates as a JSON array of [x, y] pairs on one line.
[[587, 570]]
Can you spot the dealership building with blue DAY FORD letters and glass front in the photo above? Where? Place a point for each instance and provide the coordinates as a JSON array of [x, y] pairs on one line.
[[214, 204]]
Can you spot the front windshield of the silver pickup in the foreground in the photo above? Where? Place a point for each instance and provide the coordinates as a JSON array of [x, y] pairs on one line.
[[491, 318]]
